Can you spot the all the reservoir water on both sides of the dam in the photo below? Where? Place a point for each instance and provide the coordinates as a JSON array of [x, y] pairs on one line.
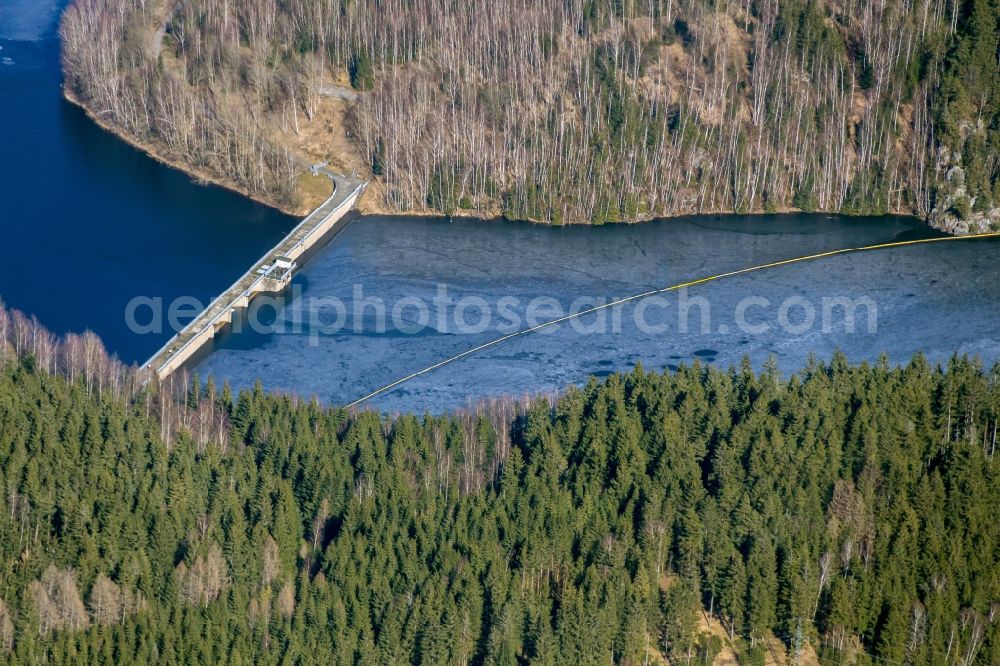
[[89, 224]]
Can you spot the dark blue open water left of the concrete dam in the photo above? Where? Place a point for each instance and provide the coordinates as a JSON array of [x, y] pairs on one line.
[[88, 222]]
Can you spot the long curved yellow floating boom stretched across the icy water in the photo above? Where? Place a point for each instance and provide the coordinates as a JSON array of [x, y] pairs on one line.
[[682, 285]]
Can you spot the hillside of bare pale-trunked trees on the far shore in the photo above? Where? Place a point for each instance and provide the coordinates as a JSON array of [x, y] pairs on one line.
[[566, 111]]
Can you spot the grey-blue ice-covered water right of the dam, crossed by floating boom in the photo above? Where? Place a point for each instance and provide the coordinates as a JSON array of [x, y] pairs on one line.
[[938, 298]]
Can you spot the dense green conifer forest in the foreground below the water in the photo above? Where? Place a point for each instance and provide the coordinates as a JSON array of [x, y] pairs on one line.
[[849, 511]]
